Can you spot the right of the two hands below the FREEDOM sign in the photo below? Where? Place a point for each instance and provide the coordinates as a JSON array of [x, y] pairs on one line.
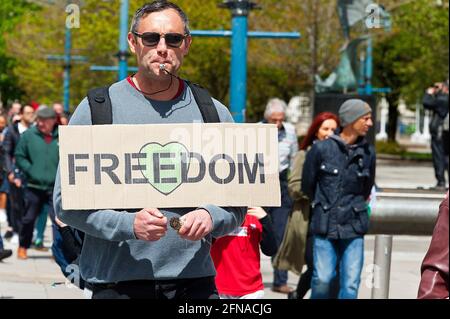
[[196, 225]]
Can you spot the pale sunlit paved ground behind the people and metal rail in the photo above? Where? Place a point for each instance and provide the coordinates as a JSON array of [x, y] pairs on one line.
[[40, 277]]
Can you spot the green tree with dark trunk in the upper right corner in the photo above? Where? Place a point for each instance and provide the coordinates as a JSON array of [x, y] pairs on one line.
[[414, 55]]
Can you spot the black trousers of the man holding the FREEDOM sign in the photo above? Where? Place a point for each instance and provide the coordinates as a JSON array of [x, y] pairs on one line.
[[176, 289]]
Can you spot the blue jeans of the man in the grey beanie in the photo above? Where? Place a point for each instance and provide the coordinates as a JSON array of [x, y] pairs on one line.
[[350, 253]]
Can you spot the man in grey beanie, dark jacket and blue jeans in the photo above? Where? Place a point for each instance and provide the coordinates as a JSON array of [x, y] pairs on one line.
[[338, 175]]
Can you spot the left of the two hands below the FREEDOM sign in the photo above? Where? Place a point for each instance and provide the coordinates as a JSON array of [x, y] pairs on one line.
[[150, 224]]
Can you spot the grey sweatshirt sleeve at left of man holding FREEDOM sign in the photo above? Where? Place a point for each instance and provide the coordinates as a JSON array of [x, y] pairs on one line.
[[104, 224]]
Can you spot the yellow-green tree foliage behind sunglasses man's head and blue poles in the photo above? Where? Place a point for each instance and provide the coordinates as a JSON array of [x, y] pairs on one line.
[[276, 68]]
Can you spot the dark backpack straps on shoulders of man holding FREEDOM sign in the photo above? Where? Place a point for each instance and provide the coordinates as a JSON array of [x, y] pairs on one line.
[[101, 107]]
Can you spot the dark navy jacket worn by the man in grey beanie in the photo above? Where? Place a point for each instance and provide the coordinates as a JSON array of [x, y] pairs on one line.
[[338, 179]]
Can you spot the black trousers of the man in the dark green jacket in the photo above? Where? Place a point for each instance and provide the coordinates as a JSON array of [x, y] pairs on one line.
[[35, 199]]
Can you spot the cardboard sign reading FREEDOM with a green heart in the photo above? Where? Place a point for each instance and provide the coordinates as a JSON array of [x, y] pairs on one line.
[[169, 165]]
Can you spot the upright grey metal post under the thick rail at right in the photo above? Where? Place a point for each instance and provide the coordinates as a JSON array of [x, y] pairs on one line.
[[382, 266]]
